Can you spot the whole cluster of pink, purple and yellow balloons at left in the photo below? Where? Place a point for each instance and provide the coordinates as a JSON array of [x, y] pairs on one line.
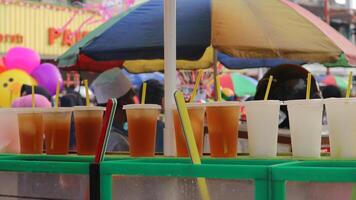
[[22, 65]]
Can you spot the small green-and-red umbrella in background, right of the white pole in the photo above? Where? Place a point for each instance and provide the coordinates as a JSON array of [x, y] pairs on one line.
[[240, 84]]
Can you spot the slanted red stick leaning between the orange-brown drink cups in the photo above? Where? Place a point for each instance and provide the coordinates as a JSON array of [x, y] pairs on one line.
[[98, 153]]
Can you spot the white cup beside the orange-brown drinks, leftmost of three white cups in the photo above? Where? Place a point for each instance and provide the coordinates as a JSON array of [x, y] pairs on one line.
[[262, 127]]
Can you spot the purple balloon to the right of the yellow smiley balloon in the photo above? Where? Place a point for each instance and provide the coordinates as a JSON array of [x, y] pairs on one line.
[[47, 76]]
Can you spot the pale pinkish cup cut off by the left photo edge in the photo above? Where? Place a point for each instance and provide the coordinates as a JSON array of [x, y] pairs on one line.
[[9, 131]]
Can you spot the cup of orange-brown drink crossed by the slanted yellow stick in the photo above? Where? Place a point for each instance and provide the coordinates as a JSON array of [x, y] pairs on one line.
[[196, 113]]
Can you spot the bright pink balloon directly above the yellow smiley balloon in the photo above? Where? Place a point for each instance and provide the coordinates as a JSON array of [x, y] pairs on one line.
[[22, 58]]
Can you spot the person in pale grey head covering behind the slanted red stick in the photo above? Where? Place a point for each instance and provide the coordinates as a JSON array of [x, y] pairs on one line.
[[114, 84]]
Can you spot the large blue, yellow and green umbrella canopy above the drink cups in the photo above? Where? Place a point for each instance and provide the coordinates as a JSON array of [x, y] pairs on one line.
[[239, 28]]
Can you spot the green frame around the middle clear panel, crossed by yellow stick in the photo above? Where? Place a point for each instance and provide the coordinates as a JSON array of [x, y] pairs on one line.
[[241, 169]]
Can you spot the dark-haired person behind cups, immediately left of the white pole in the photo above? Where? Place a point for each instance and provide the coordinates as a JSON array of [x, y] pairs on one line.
[[154, 95]]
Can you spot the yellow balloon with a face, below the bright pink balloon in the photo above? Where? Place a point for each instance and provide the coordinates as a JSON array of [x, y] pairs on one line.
[[11, 82]]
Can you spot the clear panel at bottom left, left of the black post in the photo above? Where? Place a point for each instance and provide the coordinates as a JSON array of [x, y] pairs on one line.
[[15, 185]]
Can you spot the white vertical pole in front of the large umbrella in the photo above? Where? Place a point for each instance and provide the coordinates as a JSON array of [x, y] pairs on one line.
[[170, 75]]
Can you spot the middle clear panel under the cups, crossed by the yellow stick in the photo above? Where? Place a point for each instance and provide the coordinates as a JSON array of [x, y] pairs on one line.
[[162, 188]]
